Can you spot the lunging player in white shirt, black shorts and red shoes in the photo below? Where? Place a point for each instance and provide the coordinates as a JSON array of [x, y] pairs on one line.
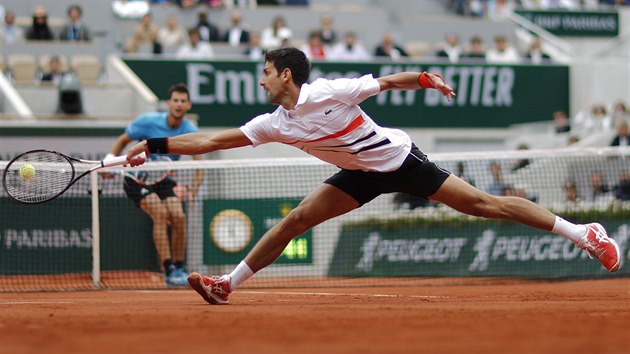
[[323, 119]]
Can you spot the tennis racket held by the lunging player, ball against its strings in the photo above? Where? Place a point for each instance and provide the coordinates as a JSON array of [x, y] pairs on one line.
[[39, 176]]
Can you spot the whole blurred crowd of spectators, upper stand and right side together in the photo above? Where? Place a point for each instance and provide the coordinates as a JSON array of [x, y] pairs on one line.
[[196, 40]]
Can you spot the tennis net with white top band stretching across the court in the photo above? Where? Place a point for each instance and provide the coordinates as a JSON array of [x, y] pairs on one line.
[[94, 237]]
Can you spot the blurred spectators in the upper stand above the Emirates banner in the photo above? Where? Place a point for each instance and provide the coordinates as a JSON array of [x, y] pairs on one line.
[[322, 43]]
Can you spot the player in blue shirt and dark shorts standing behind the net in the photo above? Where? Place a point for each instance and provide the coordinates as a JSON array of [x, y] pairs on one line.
[[160, 201]]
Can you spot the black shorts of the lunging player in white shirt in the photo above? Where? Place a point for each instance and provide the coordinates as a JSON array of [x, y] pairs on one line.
[[417, 176]]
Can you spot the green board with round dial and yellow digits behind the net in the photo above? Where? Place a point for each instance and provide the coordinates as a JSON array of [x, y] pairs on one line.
[[234, 226]]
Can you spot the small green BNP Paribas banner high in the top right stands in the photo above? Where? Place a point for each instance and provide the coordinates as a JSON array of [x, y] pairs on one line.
[[575, 23]]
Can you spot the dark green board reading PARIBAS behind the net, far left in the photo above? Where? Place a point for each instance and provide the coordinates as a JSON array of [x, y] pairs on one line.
[[56, 237]]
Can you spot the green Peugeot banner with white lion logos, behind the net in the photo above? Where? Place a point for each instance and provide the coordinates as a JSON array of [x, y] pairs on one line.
[[470, 249]]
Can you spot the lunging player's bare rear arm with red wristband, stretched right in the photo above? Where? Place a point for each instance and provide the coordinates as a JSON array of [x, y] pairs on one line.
[[414, 81]]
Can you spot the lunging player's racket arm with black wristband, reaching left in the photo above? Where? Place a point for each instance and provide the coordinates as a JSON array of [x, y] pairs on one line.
[[189, 144]]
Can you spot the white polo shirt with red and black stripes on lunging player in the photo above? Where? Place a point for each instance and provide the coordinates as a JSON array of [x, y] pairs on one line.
[[328, 124]]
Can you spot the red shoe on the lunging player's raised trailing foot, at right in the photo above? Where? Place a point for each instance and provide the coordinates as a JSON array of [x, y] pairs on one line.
[[597, 243]]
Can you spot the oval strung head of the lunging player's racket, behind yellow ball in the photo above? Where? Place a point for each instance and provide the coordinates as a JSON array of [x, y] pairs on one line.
[[50, 175]]
